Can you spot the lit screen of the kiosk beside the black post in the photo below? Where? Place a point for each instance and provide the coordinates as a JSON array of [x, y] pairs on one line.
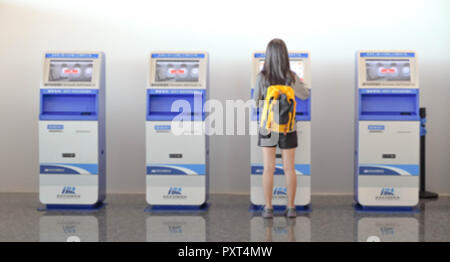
[[388, 70]]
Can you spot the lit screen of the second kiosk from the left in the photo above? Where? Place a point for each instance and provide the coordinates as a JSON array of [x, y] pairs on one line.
[[177, 71]]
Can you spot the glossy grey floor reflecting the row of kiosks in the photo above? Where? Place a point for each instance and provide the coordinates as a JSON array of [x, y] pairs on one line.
[[123, 219]]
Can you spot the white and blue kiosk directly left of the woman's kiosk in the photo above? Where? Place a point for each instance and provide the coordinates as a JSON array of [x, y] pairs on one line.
[[176, 143]]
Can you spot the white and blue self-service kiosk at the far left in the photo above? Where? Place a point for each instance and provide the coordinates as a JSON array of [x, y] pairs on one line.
[[72, 141]]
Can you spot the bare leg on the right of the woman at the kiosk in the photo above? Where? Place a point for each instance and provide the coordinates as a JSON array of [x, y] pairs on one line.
[[289, 173]]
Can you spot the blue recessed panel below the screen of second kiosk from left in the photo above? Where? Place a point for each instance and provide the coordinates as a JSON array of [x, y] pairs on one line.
[[160, 102]]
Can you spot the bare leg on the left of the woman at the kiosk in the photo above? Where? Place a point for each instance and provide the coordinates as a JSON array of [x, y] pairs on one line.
[[269, 169]]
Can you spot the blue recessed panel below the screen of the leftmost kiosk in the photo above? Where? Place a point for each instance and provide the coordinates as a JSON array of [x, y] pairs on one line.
[[68, 104]]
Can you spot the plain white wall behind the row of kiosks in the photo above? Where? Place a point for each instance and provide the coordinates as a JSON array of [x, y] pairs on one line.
[[127, 31]]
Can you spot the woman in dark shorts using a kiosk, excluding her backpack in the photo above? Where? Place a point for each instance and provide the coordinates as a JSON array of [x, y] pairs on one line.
[[276, 71]]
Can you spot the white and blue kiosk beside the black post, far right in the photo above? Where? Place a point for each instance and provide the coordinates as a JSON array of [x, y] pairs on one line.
[[387, 130]]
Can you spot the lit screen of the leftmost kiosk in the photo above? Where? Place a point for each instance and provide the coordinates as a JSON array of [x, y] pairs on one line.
[[70, 71]]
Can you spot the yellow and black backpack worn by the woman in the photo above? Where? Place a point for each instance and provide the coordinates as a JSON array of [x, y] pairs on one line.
[[279, 109]]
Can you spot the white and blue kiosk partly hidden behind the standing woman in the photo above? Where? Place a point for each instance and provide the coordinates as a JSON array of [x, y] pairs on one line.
[[300, 64]]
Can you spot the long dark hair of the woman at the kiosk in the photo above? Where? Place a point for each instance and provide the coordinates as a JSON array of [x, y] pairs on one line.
[[277, 70]]
